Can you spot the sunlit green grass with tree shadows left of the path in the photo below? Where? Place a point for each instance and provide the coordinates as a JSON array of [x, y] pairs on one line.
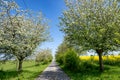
[[30, 71]]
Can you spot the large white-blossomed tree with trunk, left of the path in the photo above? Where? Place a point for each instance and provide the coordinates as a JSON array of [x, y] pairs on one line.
[[20, 33]]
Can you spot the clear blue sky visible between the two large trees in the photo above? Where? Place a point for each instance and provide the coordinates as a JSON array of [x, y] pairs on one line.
[[51, 9]]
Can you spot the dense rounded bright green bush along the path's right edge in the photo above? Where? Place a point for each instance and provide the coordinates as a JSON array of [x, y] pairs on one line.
[[71, 60]]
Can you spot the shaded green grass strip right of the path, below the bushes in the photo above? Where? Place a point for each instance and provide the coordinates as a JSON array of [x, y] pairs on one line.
[[110, 73]]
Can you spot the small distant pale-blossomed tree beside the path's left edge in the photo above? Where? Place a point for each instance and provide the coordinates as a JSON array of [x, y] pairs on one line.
[[44, 56]]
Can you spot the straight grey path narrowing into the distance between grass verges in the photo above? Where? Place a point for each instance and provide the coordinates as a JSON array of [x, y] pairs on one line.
[[53, 72]]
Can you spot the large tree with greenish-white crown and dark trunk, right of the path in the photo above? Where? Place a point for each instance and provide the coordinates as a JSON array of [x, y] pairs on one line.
[[92, 24]]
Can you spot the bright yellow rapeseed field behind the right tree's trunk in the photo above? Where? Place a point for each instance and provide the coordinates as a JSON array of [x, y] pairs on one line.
[[96, 58]]
